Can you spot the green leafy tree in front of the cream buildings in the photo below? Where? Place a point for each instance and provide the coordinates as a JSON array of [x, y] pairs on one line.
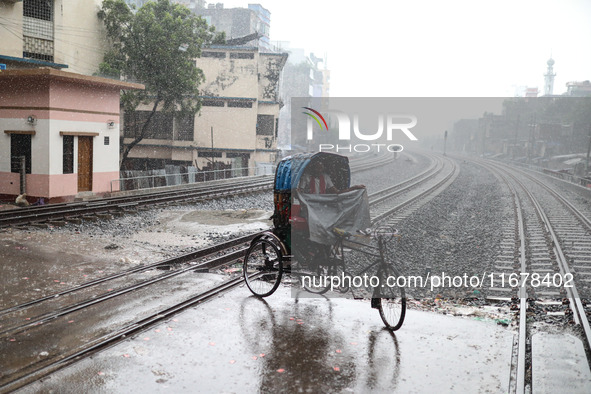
[[155, 46]]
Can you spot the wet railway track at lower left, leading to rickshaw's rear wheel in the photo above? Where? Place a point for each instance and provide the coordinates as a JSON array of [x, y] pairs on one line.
[[43, 323]]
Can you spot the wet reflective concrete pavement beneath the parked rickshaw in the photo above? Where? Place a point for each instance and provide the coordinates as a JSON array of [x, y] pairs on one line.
[[240, 344]]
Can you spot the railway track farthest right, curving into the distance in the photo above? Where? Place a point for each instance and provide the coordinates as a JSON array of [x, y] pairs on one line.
[[536, 269]]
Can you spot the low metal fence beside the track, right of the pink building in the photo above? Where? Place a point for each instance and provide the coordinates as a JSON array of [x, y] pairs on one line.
[[176, 175]]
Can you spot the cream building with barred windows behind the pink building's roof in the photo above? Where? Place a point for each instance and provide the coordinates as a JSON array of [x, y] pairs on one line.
[[61, 34]]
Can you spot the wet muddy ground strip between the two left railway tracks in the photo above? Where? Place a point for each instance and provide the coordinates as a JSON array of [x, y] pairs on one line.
[[38, 262]]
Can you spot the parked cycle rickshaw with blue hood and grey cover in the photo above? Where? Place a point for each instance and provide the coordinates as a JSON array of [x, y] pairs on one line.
[[312, 233]]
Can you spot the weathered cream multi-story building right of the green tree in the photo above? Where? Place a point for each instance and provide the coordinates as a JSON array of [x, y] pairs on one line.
[[238, 123]]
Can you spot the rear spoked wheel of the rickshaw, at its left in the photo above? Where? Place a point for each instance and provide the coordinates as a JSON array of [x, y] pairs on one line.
[[263, 267]]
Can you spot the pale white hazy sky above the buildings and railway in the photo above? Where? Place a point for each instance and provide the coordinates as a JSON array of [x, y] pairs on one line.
[[438, 48]]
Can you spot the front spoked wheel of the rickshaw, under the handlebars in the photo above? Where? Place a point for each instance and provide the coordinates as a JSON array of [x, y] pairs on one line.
[[390, 299]]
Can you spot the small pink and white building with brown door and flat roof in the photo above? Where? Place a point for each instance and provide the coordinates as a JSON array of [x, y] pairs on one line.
[[66, 126]]
